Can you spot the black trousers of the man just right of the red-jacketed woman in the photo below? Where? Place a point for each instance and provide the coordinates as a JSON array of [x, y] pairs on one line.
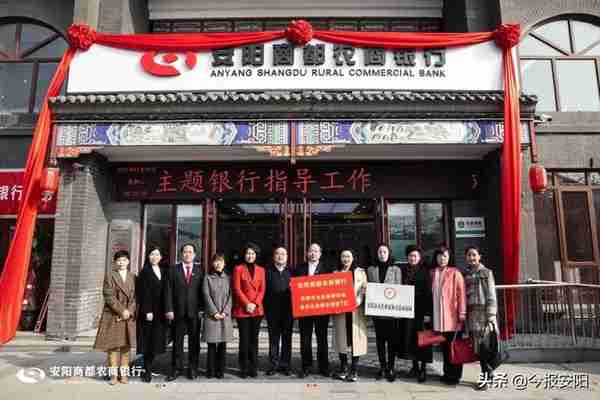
[[280, 324]]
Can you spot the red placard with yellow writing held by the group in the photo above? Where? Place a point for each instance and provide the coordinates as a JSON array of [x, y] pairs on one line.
[[323, 294]]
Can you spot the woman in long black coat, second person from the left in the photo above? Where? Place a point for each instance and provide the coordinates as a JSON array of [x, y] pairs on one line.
[[151, 284]]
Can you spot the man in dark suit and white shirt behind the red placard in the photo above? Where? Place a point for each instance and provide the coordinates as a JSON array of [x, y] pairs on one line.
[[320, 323]]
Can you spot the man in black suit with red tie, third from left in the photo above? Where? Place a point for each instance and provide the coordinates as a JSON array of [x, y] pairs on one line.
[[183, 308]]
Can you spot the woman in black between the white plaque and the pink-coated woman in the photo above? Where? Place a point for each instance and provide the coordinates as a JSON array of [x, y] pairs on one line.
[[418, 275]]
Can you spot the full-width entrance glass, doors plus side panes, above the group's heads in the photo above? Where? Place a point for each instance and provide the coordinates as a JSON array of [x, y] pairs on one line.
[[226, 225]]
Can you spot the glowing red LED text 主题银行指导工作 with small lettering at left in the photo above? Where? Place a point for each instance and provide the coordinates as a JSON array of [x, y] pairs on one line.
[[157, 182]]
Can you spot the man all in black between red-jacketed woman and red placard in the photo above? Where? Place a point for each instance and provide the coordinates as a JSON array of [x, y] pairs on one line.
[[278, 309]]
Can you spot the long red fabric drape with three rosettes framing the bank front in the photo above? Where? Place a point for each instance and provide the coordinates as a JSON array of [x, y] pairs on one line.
[[299, 32]]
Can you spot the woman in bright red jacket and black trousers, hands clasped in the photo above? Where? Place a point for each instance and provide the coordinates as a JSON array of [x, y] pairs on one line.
[[248, 291]]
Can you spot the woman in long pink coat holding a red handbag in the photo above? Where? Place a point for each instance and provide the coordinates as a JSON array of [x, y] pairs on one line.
[[449, 308]]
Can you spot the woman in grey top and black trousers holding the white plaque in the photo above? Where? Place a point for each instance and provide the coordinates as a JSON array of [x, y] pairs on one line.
[[386, 329]]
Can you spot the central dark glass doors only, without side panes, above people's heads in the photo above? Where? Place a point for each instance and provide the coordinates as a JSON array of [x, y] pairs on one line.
[[295, 224]]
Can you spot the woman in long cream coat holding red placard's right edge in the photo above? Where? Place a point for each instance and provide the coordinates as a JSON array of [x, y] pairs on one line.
[[351, 327]]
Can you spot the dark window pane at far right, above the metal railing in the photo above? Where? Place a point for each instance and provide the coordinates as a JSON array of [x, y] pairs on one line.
[[578, 233]]
